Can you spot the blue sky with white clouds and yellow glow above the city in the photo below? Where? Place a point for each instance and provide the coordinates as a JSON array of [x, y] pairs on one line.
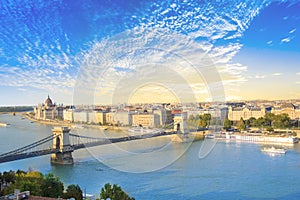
[[114, 51]]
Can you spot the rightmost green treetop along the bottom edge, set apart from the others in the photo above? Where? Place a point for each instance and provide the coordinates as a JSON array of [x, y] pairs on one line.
[[114, 192]]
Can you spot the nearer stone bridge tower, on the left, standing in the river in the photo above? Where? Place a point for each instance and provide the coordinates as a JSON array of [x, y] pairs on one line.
[[61, 143]]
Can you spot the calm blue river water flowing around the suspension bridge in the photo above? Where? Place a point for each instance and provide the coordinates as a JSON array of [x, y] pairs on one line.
[[158, 169]]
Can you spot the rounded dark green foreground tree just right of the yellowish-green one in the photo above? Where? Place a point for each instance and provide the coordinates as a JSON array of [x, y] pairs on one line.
[[52, 186]]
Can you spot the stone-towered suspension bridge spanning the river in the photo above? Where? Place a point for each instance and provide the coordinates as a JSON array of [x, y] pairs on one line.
[[62, 143]]
